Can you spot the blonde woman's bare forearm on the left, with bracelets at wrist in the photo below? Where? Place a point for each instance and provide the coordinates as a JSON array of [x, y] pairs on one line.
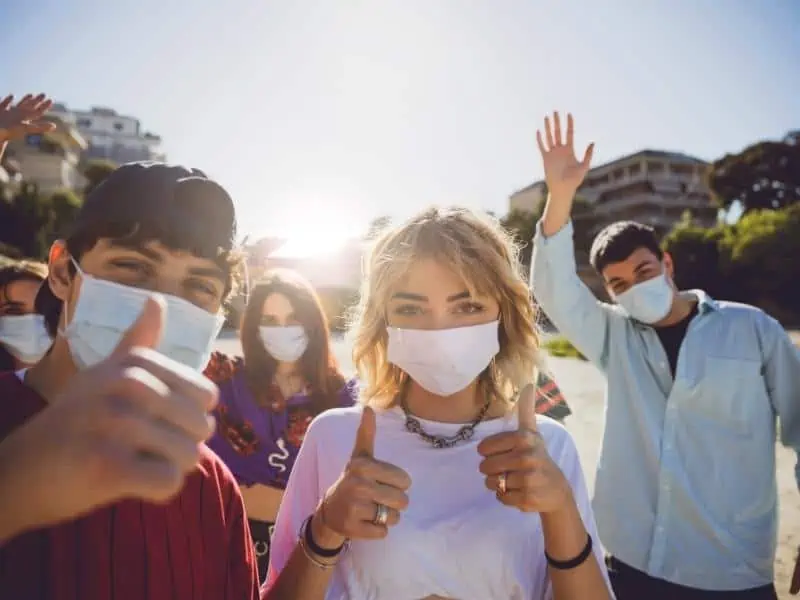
[[301, 579]]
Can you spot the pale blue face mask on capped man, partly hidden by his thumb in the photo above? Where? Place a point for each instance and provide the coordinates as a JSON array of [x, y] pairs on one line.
[[106, 310]]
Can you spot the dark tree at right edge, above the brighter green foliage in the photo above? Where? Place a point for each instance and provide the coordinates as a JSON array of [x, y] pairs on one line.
[[763, 175]]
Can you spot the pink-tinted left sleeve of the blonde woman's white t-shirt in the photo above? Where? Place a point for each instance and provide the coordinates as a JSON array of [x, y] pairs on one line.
[[300, 500]]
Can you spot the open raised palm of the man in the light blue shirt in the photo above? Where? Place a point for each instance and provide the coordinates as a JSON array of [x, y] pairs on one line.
[[563, 172]]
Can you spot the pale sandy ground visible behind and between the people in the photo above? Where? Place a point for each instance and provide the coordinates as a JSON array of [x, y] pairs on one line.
[[583, 386]]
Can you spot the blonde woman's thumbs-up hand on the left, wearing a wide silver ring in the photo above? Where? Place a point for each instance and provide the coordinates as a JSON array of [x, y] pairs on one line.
[[368, 497]]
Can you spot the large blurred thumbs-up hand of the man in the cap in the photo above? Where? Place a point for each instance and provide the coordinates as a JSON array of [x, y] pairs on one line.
[[129, 427]]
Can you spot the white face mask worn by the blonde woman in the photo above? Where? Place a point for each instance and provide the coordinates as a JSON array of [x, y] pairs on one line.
[[444, 361]]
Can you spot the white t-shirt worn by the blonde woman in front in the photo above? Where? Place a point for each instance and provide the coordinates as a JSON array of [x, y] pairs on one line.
[[455, 539]]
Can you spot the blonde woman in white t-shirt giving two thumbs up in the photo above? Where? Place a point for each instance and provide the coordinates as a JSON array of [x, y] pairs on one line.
[[433, 487]]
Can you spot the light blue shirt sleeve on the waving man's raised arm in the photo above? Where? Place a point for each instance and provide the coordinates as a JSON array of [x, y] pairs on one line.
[[565, 299]]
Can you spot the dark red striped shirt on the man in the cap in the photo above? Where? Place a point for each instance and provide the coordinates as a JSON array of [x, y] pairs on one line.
[[196, 547]]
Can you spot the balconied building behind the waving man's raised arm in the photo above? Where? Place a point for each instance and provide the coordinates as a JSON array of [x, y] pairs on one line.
[[651, 186]]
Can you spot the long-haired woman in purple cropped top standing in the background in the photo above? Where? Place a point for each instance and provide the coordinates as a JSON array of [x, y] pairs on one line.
[[268, 398]]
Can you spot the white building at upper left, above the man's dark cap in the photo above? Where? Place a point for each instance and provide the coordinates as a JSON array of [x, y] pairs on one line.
[[110, 135]]
